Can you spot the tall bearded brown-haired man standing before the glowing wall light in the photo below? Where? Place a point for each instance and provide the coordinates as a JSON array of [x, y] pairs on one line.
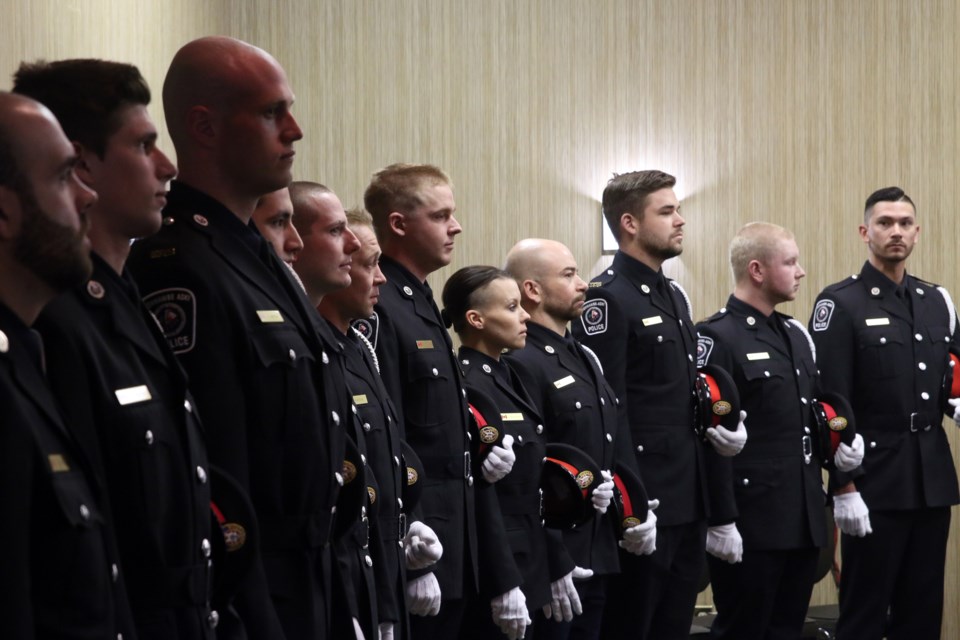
[[640, 325]]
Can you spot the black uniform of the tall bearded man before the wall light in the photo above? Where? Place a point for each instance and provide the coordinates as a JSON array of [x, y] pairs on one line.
[[639, 325]]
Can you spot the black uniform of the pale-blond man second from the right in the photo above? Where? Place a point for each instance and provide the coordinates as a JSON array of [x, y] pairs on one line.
[[775, 490]]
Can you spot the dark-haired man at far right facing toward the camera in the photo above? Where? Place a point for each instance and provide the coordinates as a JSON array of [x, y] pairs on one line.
[[888, 334]]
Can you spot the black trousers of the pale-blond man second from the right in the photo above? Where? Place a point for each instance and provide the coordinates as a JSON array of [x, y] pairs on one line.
[[764, 597]]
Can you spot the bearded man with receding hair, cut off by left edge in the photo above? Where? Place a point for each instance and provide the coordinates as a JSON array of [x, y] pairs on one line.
[[59, 567]]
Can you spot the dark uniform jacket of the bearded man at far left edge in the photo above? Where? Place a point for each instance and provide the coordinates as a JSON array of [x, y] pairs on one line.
[[59, 563]]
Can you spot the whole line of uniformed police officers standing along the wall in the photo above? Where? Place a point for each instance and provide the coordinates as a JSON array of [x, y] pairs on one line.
[[252, 423]]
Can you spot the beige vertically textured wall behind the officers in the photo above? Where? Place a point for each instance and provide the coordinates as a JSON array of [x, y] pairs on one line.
[[788, 111]]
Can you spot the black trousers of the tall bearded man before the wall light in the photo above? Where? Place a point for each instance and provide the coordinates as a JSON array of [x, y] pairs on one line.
[[653, 596]]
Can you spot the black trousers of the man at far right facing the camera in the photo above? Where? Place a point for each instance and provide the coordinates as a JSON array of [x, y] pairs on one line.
[[899, 567]]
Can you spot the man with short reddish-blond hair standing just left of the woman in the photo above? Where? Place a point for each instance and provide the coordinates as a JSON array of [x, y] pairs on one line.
[[413, 214]]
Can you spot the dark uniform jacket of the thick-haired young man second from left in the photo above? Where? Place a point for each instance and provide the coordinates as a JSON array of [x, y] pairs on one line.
[[133, 415]]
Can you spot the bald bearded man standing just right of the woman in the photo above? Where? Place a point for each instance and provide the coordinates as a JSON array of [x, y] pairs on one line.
[[579, 408]]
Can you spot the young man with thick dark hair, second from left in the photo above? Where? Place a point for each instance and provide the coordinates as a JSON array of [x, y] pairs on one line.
[[131, 410]]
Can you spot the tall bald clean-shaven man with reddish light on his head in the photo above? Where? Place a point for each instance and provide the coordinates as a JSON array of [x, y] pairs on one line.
[[265, 371]]
